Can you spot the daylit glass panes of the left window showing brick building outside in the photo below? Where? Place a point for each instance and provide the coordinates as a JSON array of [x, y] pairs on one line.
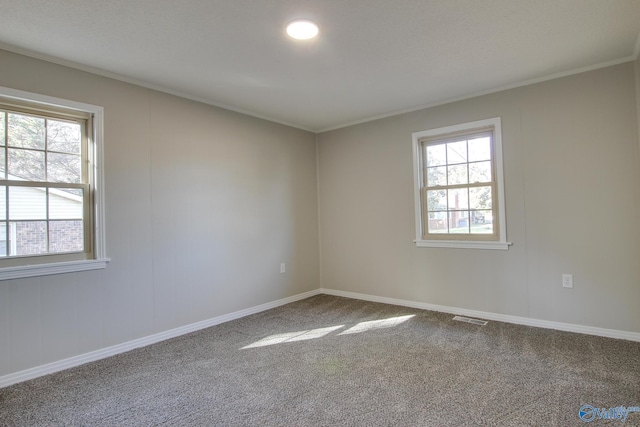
[[44, 183]]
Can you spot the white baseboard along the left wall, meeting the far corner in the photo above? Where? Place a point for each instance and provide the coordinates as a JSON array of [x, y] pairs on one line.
[[74, 361]]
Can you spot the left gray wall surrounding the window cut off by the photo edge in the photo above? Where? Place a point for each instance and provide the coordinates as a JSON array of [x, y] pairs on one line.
[[202, 206]]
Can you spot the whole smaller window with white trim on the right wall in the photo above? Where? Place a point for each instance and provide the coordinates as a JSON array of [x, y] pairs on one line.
[[459, 192]]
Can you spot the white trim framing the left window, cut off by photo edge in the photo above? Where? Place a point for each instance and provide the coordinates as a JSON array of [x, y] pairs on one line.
[[100, 250]]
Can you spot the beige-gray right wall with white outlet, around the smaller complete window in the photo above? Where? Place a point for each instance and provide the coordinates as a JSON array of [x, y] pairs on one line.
[[572, 174]]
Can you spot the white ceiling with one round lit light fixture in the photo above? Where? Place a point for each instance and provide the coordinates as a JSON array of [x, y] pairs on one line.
[[372, 58]]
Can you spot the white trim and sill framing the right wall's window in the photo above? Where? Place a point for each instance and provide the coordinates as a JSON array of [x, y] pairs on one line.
[[502, 243]]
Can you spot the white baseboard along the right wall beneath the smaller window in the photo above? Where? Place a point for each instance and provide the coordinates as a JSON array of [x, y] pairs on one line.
[[568, 327]]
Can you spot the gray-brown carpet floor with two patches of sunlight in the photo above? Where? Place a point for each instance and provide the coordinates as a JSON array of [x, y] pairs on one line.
[[331, 361]]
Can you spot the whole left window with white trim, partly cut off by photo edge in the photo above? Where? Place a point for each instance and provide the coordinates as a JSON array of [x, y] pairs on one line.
[[50, 185]]
